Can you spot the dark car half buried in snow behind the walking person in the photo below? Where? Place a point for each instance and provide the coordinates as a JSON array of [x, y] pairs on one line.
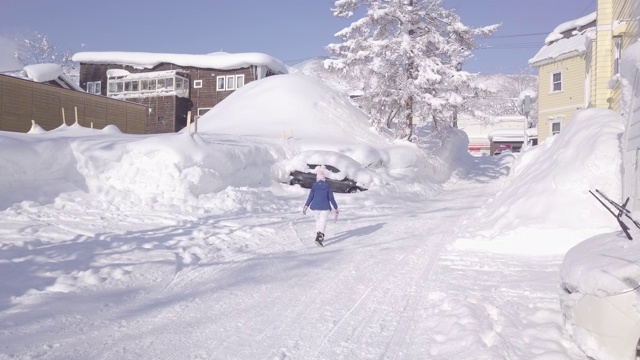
[[343, 174]]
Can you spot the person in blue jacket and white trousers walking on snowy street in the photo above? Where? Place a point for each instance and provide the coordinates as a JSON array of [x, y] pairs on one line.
[[320, 201]]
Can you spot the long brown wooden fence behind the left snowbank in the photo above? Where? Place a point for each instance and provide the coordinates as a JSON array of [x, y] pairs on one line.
[[23, 100]]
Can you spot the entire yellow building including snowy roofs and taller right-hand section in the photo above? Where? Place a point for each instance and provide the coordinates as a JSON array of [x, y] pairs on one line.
[[579, 65]]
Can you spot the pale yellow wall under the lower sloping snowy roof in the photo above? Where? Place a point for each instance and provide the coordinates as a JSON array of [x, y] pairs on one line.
[[563, 103]]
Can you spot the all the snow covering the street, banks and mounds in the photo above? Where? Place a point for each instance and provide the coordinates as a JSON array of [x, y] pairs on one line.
[[193, 246]]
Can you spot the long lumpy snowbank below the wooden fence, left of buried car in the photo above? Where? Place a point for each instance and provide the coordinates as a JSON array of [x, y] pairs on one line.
[[131, 171]]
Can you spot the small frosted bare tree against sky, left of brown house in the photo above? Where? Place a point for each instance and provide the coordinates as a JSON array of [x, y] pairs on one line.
[[39, 49]]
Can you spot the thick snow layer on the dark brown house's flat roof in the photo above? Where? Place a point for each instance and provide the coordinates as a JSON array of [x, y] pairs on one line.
[[144, 60]]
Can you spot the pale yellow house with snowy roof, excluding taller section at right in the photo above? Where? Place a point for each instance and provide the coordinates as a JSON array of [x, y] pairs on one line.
[[564, 68]]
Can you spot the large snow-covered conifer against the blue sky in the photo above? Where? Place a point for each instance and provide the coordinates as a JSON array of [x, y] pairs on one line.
[[409, 54]]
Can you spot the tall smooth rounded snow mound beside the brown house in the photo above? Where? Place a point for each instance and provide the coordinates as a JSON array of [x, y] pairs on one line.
[[296, 105]]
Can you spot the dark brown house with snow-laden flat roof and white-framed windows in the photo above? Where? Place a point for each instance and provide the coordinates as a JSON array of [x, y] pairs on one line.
[[172, 85]]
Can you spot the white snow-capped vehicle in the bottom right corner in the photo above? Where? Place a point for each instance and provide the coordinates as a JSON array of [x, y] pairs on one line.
[[600, 298]]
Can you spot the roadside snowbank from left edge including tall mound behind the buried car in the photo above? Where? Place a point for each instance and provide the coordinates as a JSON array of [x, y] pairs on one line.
[[239, 148]]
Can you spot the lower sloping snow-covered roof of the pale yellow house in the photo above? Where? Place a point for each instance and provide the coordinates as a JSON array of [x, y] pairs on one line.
[[564, 48]]
